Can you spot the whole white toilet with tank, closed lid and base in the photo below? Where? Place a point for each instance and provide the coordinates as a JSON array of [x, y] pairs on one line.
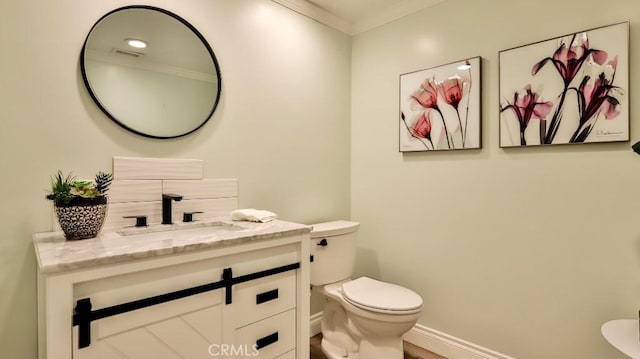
[[363, 318]]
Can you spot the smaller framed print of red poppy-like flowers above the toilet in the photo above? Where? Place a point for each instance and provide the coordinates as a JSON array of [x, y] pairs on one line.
[[440, 107]]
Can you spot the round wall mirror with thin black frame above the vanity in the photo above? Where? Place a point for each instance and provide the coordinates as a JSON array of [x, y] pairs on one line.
[[151, 71]]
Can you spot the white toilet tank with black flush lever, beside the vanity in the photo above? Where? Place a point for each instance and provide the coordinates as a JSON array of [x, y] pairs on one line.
[[333, 247]]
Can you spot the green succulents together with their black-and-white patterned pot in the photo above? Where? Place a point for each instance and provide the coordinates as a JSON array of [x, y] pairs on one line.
[[80, 206]]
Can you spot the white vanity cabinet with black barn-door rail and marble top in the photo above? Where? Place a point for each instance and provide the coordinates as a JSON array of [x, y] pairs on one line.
[[242, 297]]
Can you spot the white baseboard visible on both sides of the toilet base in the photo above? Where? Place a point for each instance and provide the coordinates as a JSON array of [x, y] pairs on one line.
[[434, 341]]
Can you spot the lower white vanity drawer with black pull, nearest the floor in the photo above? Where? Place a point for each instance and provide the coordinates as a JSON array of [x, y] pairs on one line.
[[273, 336]]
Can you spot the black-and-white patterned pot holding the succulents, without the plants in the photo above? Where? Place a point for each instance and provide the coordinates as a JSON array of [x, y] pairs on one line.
[[82, 218]]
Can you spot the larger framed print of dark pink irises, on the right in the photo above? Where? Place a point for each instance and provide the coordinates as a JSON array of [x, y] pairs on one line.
[[566, 90]]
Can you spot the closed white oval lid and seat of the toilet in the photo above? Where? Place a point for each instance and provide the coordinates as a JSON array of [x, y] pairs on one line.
[[371, 293]]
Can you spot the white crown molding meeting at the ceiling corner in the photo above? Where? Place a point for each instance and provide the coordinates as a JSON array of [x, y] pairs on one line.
[[389, 14]]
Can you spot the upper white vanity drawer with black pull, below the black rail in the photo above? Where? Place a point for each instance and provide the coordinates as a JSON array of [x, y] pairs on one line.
[[261, 298]]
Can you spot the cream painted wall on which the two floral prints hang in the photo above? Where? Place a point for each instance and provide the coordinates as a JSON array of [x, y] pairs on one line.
[[523, 251]]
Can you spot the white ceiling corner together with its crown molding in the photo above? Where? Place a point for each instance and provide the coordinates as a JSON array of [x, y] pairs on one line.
[[356, 16]]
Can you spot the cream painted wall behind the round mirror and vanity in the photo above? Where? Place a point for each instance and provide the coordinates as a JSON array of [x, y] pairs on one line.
[[282, 127]]
